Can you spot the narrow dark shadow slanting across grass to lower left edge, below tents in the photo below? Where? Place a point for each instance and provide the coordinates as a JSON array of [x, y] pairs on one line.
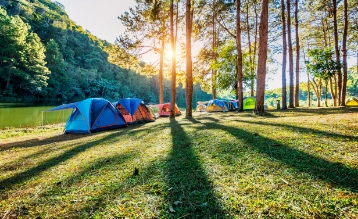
[[23, 176]]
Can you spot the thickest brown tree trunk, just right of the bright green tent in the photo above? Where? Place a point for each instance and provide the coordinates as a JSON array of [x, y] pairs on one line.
[[261, 67]]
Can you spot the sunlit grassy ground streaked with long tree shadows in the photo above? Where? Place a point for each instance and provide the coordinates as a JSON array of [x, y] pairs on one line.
[[299, 163]]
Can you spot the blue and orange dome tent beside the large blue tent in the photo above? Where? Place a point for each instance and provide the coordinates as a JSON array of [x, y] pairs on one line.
[[134, 110]]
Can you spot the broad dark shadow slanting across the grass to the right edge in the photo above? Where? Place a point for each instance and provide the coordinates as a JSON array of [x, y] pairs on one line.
[[336, 174]]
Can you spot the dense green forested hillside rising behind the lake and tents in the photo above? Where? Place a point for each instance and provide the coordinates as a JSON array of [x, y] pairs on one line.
[[45, 55]]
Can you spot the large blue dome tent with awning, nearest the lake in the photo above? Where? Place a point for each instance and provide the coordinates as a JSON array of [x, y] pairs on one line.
[[91, 115]]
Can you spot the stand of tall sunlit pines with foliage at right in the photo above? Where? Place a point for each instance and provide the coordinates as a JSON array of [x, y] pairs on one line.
[[240, 37]]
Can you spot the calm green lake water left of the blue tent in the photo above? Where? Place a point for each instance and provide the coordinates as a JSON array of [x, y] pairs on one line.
[[29, 115]]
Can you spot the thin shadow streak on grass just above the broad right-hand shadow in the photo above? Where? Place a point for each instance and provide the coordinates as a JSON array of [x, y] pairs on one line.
[[303, 129]]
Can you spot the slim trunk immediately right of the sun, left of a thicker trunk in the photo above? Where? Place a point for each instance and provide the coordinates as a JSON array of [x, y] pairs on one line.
[[172, 41]]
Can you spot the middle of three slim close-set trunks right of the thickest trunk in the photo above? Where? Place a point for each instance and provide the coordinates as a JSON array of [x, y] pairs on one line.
[[290, 55]]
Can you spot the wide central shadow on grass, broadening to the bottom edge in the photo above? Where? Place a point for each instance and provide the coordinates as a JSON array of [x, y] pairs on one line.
[[191, 193]]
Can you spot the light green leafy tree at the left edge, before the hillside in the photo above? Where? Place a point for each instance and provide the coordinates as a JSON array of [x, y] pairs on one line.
[[23, 67]]
